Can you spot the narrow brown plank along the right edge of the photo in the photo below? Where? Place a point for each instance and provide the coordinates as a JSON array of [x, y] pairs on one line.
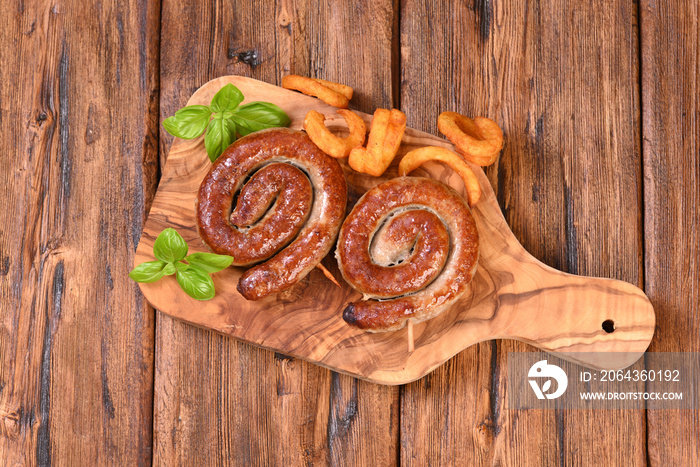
[[670, 44]]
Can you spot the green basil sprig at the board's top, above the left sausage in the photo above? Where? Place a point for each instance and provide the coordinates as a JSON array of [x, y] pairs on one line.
[[223, 119]]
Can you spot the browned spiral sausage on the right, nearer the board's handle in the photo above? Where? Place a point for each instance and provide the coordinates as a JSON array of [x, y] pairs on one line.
[[410, 245]]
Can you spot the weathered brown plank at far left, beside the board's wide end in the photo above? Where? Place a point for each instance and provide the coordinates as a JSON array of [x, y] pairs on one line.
[[78, 111]]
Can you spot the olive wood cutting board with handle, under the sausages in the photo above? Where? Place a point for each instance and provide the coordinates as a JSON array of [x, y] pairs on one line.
[[512, 296]]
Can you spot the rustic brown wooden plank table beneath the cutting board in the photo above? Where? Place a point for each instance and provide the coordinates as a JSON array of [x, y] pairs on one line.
[[600, 176]]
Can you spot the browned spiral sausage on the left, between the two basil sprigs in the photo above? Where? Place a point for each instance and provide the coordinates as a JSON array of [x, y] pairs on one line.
[[290, 201]]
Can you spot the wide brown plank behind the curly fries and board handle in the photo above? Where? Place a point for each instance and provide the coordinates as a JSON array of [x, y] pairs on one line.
[[562, 81]]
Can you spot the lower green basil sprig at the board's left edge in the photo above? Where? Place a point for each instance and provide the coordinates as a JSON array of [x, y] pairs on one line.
[[170, 249]]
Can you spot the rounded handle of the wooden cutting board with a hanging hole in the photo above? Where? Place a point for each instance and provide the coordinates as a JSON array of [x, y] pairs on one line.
[[599, 323]]
